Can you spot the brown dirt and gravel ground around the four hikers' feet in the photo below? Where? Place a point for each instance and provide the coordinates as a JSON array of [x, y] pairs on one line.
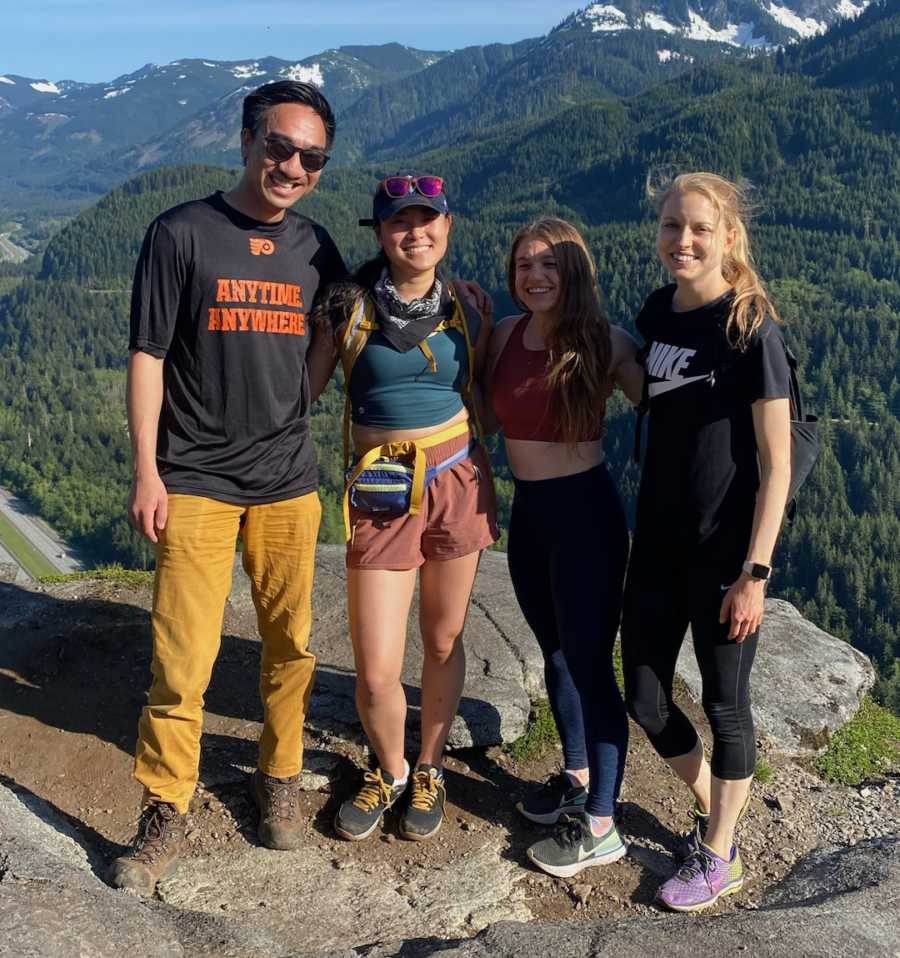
[[68, 717]]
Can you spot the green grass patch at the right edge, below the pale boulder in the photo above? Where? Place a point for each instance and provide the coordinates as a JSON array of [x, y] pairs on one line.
[[867, 745]]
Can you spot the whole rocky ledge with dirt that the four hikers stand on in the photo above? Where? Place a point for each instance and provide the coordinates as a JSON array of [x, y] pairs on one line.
[[73, 670]]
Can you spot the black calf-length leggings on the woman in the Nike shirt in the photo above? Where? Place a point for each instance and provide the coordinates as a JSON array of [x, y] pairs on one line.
[[662, 597]]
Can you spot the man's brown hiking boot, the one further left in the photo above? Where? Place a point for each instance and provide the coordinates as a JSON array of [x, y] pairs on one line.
[[154, 852]]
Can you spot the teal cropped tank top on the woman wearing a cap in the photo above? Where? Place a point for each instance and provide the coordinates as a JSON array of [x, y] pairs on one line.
[[394, 390]]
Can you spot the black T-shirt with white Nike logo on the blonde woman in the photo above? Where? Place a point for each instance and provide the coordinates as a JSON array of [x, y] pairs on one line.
[[700, 475]]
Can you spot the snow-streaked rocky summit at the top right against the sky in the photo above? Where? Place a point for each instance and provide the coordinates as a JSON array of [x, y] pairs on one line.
[[740, 23]]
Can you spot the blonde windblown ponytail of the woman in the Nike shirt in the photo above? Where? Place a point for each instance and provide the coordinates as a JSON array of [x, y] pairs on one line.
[[751, 302]]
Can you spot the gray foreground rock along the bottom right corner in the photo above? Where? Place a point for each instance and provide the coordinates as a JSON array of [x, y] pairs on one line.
[[834, 904]]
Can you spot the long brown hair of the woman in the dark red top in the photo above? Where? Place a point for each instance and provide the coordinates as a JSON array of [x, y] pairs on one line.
[[579, 340]]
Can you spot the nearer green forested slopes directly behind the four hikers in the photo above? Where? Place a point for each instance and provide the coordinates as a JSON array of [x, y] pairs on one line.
[[815, 128]]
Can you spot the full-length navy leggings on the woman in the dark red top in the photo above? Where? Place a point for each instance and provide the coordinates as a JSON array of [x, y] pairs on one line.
[[568, 546]]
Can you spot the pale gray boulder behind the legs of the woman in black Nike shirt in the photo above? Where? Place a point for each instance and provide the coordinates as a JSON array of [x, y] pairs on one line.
[[806, 683]]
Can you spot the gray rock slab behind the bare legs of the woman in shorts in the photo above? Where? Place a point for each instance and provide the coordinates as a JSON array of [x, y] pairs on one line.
[[504, 663]]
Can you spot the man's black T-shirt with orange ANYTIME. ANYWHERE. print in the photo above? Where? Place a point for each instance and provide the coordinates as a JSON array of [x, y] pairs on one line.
[[225, 300]]
